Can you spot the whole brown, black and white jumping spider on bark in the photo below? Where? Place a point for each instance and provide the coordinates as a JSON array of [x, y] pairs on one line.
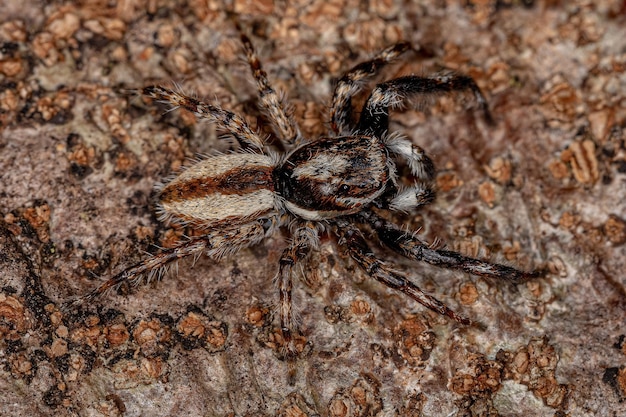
[[328, 184]]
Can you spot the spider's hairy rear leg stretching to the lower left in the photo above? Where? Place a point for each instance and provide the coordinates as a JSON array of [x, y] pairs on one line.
[[214, 244]]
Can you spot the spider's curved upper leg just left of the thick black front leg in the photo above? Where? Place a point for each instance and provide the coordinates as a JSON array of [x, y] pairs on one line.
[[352, 82]]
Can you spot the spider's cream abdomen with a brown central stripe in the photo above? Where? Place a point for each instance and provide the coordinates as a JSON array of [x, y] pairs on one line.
[[227, 189]]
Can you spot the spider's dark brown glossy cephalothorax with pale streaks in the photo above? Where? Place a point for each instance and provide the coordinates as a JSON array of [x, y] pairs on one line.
[[333, 176]]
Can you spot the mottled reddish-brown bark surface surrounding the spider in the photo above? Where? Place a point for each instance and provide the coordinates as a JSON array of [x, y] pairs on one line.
[[544, 186]]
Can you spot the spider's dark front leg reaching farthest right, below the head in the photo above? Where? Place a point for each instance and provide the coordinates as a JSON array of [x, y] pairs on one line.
[[411, 247]]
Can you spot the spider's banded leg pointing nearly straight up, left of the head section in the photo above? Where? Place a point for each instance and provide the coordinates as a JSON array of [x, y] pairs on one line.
[[282, 121]]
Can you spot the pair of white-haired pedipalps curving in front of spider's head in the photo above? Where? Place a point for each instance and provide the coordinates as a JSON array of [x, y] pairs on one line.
[[421, 192]]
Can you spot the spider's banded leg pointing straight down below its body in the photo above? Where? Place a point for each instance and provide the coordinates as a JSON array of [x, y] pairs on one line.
[[304, 239]]
